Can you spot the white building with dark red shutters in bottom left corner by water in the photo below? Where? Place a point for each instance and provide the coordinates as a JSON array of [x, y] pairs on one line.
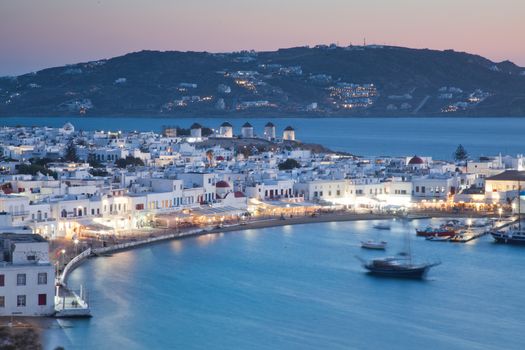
[[27, 278]]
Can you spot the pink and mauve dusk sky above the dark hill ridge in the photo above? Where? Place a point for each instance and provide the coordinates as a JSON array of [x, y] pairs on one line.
[[36, 34]]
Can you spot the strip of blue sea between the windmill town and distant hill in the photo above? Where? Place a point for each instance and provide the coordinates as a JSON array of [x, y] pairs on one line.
[[437, 137]]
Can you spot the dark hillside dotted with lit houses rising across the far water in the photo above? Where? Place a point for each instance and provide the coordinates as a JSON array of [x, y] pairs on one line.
[[320, 81]]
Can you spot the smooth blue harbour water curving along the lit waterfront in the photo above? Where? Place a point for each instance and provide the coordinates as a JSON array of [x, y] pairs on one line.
[[299, 287]]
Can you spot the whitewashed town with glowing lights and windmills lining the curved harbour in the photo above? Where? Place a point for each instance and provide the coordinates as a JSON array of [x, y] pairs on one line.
[[76, 190]]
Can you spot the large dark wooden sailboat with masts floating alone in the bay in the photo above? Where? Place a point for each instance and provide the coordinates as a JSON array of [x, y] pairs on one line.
[[400, 266]]
